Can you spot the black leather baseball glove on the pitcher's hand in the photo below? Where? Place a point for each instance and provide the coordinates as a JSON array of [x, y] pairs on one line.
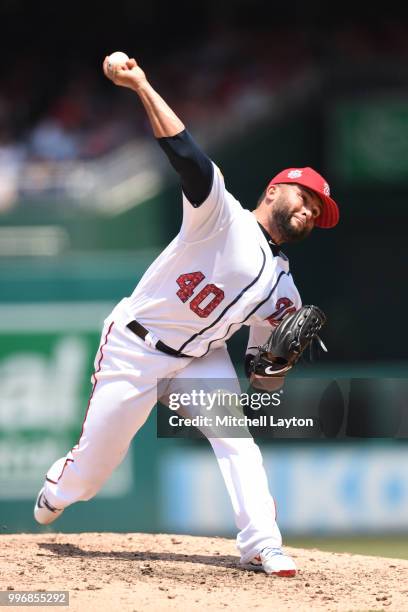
[[287, 342]]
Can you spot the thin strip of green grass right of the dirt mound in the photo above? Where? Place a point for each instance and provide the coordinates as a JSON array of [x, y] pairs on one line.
[[395, 546]]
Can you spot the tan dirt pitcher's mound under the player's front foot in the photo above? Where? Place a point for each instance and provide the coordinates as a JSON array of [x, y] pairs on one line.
[[110, 571]]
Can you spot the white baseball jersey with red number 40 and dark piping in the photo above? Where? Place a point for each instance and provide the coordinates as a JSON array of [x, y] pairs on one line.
[[218, 274]]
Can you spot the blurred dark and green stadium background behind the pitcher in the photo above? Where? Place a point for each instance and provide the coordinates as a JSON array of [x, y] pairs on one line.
[[87, 201]]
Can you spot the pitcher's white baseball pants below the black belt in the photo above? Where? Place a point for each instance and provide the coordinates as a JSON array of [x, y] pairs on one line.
[[124, 393]]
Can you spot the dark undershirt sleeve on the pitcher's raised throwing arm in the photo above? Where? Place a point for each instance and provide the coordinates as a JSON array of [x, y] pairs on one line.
[[192, 164]]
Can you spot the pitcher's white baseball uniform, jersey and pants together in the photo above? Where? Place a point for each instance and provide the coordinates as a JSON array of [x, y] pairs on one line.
[[216, 275]]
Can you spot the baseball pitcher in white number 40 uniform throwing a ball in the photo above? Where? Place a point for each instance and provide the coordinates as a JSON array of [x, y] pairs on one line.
[[223, 270]]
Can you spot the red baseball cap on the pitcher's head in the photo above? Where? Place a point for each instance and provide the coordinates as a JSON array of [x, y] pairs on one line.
[[308, 177]]
